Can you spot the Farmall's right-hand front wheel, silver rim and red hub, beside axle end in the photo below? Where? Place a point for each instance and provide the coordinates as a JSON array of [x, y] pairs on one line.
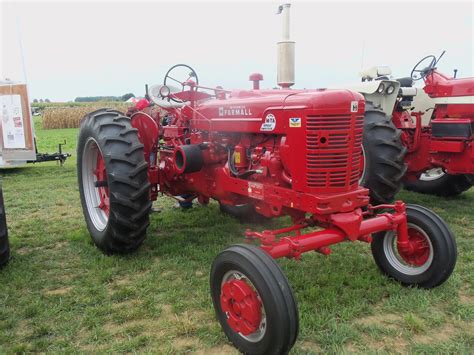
[[433, 253]]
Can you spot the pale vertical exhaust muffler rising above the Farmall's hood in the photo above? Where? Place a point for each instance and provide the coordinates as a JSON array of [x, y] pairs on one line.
[[285, 51]]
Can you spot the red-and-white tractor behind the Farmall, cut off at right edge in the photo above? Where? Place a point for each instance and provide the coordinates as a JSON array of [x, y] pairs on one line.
[[433, 127]]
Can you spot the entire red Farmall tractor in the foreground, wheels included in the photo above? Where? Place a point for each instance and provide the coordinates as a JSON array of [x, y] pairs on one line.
[[283, 152]]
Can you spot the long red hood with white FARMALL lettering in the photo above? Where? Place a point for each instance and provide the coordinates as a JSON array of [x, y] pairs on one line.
[[269, 111]]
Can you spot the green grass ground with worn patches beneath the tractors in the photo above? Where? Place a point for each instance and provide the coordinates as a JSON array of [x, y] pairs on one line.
[[60, 293]]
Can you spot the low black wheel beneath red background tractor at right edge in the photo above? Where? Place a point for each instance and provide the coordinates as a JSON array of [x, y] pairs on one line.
[[437, 182]]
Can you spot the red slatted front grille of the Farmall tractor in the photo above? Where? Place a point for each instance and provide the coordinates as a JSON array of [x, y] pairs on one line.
[[333, 151]]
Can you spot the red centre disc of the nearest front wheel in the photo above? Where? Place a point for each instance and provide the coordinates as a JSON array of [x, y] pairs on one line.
[[241, 304]]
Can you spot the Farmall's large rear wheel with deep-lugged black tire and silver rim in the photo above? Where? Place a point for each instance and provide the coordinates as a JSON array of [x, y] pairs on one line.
[[116, 212]]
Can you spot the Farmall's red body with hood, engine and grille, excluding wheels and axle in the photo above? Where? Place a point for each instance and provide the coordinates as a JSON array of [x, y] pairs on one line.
[[281, 150]]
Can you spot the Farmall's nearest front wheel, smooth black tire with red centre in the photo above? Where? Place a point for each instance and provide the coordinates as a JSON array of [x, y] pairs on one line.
[[253, 301]]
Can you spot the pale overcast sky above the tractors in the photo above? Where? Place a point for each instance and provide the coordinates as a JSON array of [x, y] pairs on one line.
[[75, 49]]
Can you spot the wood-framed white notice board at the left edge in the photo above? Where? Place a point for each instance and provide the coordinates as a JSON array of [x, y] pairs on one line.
[[16, 125]]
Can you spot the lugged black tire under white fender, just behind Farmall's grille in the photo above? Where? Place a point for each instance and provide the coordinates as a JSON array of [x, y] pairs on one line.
[[383, 152]]
